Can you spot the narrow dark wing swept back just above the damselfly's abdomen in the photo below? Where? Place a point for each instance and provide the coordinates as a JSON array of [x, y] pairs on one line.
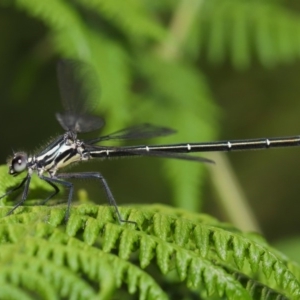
[[142, 131]]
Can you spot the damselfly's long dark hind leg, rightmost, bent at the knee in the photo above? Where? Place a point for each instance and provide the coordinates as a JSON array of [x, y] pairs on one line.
[[96, 175]]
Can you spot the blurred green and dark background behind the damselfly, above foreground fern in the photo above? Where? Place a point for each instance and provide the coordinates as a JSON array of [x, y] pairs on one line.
[[219, 69]]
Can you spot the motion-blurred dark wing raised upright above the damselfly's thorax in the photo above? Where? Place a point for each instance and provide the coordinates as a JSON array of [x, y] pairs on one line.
[[79, 92]]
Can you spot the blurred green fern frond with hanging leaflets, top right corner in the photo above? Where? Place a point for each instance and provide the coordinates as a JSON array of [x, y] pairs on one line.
[[235, 28]]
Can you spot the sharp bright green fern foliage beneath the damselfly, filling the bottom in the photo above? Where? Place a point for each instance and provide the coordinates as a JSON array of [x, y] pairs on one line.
[[94, 257]]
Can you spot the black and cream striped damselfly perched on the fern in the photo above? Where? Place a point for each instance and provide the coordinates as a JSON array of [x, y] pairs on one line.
[[67, 148]]
